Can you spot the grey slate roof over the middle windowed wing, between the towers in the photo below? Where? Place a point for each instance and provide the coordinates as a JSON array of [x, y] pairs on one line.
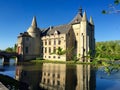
[[62, 29]]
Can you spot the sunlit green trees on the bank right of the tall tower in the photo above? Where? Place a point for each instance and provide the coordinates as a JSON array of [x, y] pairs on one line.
[[109, 50]]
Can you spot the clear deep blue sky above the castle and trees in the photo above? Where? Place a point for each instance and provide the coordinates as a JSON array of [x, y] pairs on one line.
[[16, 17]]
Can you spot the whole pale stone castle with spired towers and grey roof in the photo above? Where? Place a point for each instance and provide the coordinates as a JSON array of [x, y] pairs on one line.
[[61, 43]]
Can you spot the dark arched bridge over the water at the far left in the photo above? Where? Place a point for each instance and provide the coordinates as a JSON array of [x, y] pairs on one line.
[[7, 55]]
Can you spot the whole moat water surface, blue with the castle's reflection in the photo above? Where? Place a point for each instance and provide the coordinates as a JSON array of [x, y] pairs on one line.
[[62, 77]]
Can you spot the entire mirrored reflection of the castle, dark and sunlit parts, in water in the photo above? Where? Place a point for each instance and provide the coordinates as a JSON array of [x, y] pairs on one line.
[[57, 77]]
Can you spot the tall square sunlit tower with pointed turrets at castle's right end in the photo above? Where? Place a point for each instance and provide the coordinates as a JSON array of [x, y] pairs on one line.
[[84, 35]]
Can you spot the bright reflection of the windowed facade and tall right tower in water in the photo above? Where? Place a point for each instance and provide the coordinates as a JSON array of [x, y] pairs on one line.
[[62, 77]]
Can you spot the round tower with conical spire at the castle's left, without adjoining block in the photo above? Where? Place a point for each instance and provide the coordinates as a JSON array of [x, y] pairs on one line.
[[34, 32]]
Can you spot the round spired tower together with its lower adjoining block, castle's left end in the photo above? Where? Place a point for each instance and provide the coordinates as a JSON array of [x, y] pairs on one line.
[[29, 43]]
